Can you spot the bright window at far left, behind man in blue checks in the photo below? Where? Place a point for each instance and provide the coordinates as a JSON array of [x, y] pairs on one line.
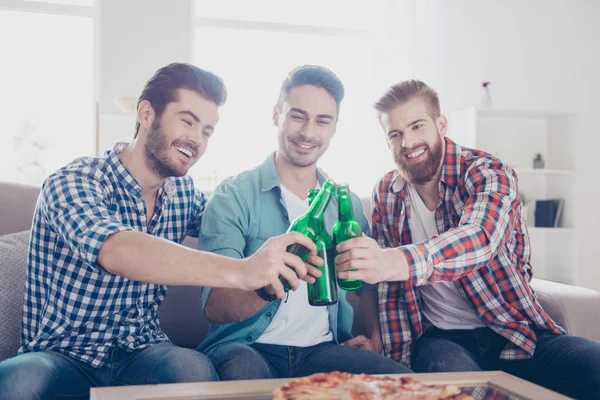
[[47, 96]]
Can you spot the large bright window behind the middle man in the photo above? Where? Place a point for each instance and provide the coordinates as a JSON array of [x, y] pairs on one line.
[[253, 46]]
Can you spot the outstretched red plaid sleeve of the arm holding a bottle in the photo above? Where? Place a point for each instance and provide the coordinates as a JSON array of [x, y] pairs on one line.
[[485, 225]]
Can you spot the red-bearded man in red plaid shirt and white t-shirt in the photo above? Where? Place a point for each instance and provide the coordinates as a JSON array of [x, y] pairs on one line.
[[451, 250]]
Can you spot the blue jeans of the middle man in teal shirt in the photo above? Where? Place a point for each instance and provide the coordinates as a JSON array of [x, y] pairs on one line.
[[235, 361]]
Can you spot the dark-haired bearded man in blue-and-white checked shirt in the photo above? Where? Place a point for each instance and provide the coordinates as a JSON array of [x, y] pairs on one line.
[[104, 247]]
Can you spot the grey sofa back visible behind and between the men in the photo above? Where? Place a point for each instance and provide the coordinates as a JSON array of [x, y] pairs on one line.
[[181, 315]]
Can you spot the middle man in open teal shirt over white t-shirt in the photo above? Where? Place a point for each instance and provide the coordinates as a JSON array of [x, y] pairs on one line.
[[254, 335]]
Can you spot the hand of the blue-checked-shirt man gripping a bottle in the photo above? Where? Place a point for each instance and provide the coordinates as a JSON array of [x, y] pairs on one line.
[[271, 260]]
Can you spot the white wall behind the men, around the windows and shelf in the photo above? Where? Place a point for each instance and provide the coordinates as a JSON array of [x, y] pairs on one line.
[[538, 54]]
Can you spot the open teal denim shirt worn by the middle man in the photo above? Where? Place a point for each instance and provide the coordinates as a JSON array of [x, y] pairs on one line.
[[242, 213]]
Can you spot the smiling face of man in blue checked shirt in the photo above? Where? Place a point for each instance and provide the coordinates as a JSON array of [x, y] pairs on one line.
[[177, 139]]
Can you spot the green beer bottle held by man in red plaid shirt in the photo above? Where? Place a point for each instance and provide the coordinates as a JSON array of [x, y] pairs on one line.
[[346, 228]]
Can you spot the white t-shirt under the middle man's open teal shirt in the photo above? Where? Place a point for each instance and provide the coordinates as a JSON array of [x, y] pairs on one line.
[[297, 323]]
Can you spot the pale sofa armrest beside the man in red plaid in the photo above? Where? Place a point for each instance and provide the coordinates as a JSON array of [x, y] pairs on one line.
[[574, 308]]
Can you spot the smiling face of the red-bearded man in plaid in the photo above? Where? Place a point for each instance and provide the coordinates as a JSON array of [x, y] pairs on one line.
[[415, 140]]
